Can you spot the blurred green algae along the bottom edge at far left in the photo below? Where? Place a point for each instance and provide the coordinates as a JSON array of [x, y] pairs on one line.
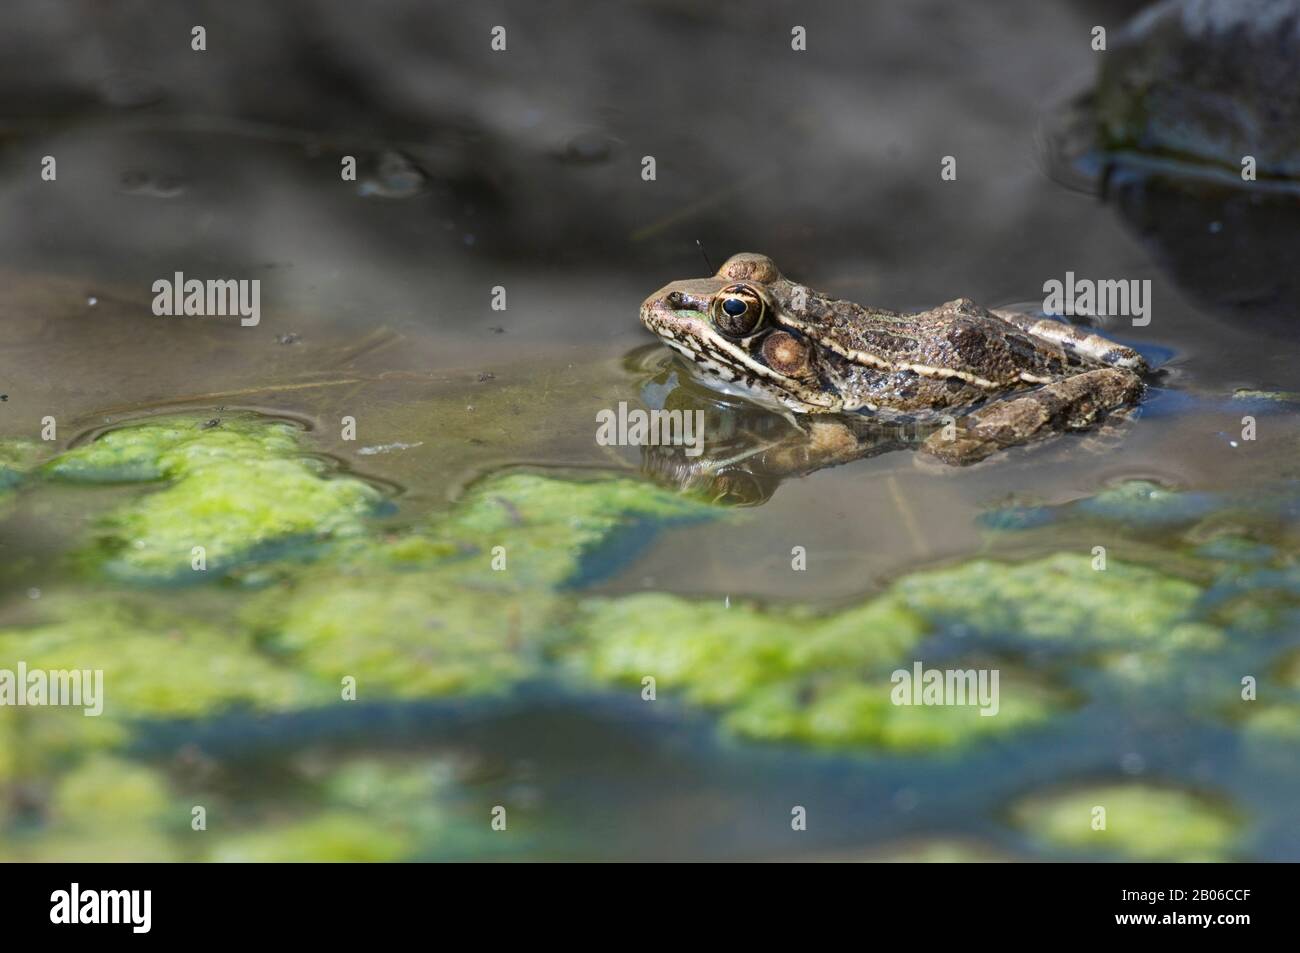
[[110, 809]]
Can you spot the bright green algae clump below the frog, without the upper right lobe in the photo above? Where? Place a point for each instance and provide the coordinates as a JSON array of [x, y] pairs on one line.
[[790, 675]]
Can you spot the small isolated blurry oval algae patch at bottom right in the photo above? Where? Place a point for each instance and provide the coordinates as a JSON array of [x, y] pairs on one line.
[[1142, 822]]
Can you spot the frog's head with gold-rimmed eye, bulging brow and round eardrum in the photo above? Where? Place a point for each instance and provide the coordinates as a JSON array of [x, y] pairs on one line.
[[733, 328]]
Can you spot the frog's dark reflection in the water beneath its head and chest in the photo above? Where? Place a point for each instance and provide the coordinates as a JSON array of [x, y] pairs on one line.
[[748, 450]]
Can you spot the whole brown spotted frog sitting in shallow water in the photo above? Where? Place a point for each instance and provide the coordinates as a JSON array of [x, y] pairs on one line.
[[998, 379]]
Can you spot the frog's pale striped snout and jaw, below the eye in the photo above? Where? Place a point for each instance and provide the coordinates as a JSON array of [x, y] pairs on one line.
[[681, 318]]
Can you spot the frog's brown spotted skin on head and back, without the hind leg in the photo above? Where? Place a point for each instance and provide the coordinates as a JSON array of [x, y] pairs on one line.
[[816, 354]]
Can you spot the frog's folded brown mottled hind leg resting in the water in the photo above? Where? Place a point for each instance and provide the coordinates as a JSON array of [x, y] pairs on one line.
[[1073, 404]]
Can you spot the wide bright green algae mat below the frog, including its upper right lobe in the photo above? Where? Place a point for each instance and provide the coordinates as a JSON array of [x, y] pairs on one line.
[[822, 679]]
